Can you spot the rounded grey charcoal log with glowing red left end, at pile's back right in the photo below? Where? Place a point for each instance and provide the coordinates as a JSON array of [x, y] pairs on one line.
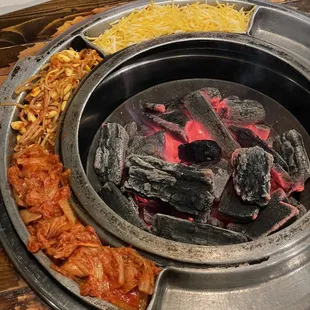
[[234, 110]]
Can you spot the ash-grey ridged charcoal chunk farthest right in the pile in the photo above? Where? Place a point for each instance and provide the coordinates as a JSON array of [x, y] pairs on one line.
[[290, 146]]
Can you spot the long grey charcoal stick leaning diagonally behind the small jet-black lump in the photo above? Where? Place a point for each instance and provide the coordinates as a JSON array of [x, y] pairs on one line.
[[201, 110]]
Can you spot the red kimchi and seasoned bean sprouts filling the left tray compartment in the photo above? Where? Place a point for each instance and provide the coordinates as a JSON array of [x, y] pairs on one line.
[[41, 189]]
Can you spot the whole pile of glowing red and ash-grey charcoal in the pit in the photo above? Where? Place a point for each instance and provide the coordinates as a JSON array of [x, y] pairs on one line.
[[203, 169]]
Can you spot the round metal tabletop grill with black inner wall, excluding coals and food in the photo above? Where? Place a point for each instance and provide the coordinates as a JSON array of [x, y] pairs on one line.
[[270, 59]]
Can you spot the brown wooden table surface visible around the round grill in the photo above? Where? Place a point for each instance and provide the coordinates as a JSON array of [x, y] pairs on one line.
[[24, 33]]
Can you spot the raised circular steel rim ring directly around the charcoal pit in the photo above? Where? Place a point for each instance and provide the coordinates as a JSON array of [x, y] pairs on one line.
[[209, 255]]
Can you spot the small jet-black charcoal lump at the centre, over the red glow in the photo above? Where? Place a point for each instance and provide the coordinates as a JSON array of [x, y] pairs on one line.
[[200, 151]]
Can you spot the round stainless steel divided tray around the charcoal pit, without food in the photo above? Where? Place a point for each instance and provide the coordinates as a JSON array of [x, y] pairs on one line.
[[285, 260]]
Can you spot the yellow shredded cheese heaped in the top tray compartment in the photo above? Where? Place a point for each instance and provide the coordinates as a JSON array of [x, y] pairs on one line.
[[158, 20]]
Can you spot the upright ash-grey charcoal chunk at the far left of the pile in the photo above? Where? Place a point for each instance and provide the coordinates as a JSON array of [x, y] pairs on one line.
[[109, 159]]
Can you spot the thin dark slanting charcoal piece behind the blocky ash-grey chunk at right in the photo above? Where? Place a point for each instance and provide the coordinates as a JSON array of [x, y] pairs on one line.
[[247, 138]]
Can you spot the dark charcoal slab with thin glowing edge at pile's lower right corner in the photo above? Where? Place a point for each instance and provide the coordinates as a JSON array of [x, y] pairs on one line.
[[271, 218]]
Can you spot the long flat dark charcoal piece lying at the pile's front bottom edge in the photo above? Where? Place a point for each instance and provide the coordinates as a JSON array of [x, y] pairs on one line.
[[189, 232]]
